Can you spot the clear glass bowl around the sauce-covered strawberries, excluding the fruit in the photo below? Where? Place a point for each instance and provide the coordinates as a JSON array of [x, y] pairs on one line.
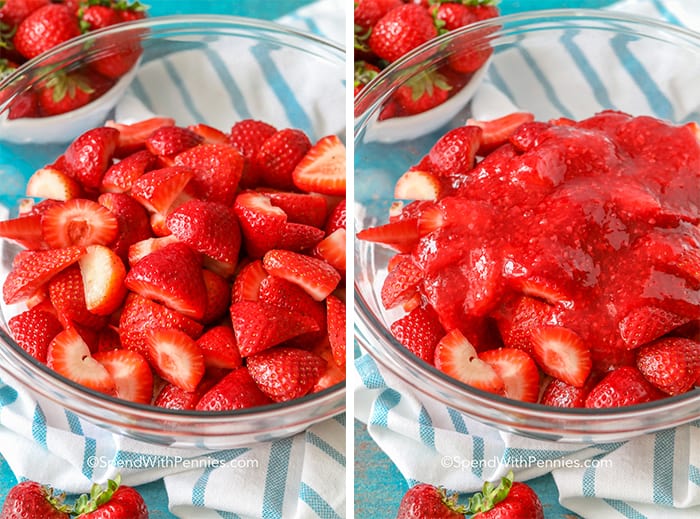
[[556, 63]]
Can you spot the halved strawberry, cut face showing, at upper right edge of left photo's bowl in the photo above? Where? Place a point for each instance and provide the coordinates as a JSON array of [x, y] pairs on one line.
[[322, 170]]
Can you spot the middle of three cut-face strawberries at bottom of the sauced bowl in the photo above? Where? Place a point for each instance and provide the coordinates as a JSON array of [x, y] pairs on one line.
[[518, 372]]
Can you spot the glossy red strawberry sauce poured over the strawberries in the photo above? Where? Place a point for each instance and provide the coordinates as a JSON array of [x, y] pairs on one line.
[[597, 217]]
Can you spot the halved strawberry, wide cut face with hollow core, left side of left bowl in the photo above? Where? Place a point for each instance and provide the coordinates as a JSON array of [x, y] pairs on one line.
[[78, 222]]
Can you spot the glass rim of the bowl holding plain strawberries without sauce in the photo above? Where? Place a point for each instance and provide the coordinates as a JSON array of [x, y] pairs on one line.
[[330, 401]]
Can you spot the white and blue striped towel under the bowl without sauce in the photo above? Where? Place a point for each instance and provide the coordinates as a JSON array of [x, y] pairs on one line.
[[298, 477]]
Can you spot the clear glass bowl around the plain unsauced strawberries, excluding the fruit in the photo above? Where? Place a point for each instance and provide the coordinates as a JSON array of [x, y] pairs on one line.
[[209, 69]]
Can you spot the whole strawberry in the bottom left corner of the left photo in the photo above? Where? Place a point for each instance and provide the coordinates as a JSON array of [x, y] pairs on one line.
[[31, 500]]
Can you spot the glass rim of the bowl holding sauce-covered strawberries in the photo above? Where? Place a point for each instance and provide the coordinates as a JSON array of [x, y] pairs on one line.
[[369, 330]]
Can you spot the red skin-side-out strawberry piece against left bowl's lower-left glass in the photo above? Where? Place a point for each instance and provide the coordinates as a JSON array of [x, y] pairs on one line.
[[33, 330]]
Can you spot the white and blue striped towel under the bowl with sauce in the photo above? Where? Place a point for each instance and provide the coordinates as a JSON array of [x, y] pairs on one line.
[[648, 477]]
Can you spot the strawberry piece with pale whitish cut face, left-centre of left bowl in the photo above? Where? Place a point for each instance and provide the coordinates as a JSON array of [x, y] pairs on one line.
[[103, 275]]
